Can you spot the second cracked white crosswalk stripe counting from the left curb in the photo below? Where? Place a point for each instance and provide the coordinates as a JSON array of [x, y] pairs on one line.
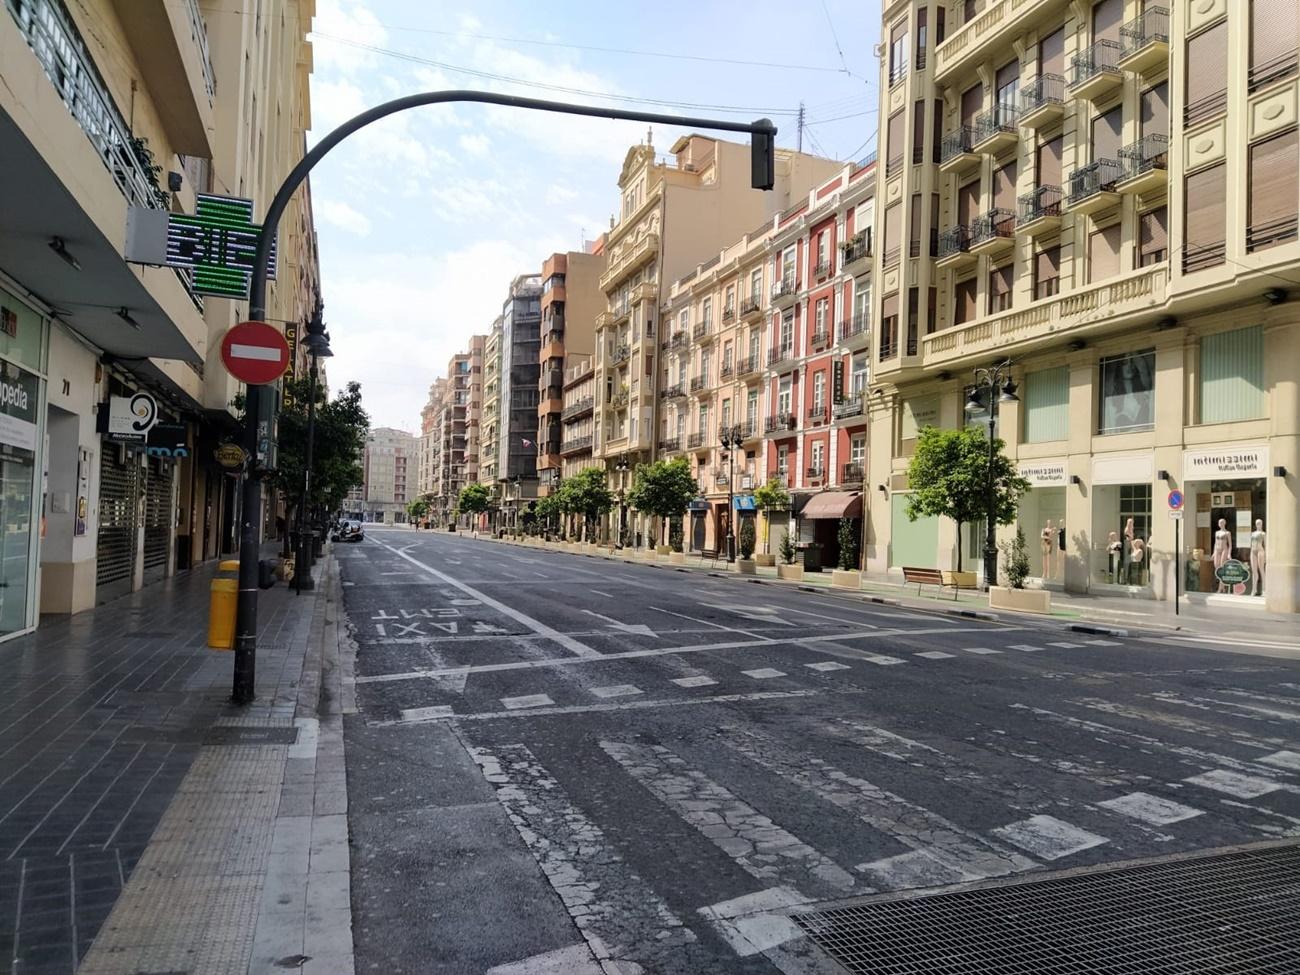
[[760, 847]]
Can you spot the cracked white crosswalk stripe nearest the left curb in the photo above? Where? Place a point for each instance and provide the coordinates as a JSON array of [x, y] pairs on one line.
[[616, 911]]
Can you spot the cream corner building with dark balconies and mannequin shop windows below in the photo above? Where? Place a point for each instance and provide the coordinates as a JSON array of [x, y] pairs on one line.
[[1103, 194]]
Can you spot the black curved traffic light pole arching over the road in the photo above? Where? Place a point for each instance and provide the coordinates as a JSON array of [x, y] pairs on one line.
[[762, 177]]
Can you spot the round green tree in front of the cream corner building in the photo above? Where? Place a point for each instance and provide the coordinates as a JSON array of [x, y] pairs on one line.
[[948, 478]]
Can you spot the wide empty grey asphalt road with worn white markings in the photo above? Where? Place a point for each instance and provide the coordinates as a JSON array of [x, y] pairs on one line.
[[562, 759]]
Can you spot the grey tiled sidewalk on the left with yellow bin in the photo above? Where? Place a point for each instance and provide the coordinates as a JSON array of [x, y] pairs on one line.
[[146, 825]]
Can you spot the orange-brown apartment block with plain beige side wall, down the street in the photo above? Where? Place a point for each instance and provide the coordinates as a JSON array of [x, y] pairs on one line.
[[571, 301]]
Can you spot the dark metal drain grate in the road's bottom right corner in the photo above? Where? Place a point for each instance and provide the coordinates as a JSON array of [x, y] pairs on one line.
[[1232, 913]]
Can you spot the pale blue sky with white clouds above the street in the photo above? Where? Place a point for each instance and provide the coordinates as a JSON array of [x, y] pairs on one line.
[[424, 218]]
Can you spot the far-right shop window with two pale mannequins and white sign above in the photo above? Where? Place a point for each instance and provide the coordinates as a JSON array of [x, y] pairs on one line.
[[1225, 543]]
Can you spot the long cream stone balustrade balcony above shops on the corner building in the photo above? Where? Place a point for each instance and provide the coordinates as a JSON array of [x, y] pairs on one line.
[[1121, 302]]
